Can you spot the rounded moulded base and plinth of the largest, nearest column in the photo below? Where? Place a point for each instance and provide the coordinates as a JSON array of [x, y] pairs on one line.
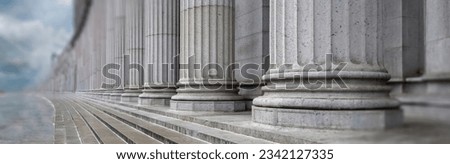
[[359, 102]]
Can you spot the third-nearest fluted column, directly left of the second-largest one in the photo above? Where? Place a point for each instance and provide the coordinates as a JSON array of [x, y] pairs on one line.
[[161, 50]]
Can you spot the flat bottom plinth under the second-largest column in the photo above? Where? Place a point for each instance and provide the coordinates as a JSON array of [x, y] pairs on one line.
[[213, 106]]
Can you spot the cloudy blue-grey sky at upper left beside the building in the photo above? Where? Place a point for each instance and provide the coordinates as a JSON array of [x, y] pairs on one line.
[[30, 32]]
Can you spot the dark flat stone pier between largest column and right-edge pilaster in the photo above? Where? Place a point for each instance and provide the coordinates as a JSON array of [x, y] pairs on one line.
[[403, 42]]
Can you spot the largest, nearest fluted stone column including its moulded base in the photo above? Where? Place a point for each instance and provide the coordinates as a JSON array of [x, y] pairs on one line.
[[345, 89]]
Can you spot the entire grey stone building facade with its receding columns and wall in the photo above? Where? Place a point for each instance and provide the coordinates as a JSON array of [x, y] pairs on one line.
[[327, 64]]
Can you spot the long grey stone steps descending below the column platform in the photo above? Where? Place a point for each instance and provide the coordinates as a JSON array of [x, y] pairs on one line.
[[82, 120]]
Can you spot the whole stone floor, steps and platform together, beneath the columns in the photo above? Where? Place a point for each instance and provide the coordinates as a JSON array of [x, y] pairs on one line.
[[88, 120]]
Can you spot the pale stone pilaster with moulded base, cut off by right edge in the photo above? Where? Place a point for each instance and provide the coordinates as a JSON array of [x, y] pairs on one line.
[[431, 104]]
